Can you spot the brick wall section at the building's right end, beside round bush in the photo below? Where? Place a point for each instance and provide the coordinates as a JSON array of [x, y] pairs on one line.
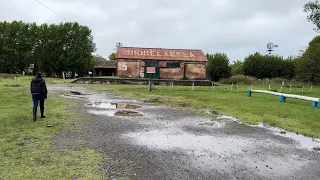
[[195, 71]]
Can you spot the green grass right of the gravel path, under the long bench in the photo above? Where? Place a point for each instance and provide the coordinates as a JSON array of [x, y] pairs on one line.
[[294, 115]]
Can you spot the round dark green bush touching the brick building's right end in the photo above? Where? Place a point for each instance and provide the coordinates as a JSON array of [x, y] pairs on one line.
[[218, 66]]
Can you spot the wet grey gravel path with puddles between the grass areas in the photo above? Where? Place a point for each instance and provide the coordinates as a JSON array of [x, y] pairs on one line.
[[144, 141]]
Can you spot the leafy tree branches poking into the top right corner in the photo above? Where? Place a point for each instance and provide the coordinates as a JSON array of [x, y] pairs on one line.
[[313, 13]]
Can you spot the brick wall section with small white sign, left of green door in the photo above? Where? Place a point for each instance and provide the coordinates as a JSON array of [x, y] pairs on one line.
[[128, 69]]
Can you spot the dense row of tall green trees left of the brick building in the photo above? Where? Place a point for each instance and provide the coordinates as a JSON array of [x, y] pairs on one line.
[[52, 48]]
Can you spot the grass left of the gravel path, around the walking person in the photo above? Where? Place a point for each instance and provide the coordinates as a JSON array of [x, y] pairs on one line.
[[26, 149]]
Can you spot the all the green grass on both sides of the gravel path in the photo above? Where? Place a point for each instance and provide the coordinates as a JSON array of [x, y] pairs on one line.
[[27, 152]]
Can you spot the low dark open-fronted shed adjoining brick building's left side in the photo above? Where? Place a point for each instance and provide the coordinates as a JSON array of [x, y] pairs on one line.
[[105, 68]]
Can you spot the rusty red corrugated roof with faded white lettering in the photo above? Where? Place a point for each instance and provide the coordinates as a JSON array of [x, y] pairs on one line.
[[160, 54]]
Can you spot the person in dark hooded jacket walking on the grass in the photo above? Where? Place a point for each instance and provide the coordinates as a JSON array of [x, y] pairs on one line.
[[39, 93]]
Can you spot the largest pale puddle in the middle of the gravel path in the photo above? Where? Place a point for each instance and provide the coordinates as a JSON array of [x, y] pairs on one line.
[[195, 143]]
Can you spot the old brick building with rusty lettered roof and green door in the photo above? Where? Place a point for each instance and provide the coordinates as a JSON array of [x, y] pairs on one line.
[[161, 63]]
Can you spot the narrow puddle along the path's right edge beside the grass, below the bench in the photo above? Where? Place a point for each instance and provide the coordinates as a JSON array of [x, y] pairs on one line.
[[304, 142]]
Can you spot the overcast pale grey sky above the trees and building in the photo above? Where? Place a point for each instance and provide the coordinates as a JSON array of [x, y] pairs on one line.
[[236, 27]]
